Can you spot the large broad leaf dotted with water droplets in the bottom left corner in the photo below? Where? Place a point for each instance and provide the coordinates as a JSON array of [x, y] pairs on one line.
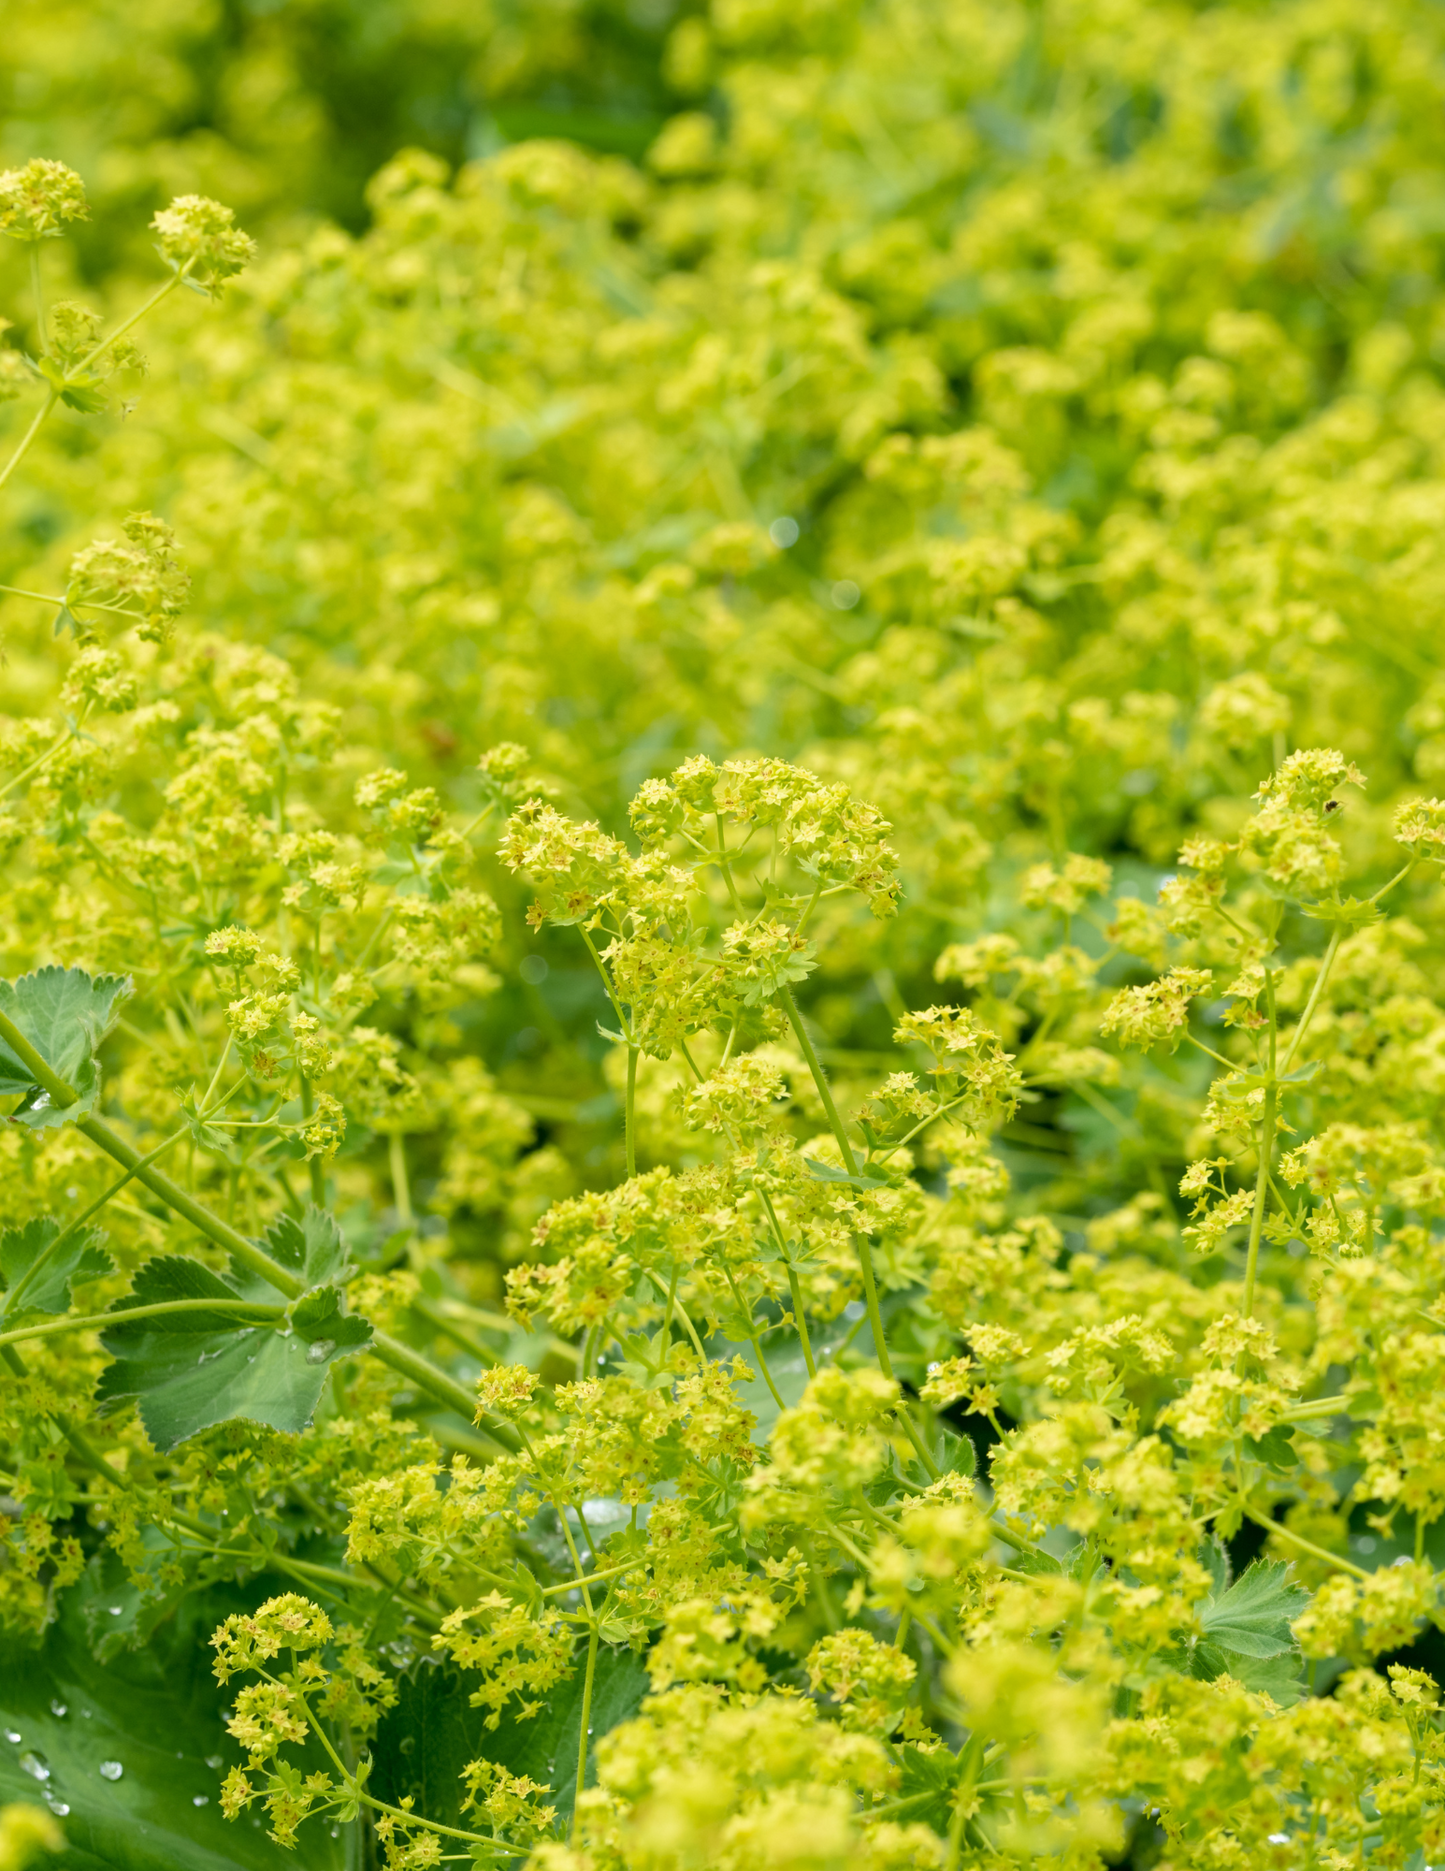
[[158, 1717]]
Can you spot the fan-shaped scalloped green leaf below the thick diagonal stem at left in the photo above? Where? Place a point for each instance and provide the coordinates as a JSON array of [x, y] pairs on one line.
[[194, 1371]]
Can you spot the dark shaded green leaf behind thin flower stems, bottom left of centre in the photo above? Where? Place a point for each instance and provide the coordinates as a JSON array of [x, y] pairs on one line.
[[430, 1737]]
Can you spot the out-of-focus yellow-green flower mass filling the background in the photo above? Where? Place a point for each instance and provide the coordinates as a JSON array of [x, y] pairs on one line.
[[1030, 413]]
